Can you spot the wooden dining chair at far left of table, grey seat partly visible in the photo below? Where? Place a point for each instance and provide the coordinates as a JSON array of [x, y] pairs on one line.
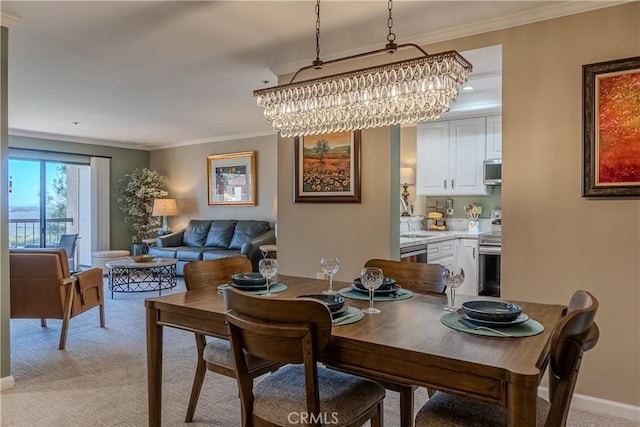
[[214, 353]]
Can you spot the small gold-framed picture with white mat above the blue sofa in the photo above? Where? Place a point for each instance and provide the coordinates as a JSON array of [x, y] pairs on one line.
[[232, 179]]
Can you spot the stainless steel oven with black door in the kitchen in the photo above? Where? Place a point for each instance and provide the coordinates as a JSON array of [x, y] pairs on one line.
[[489, 250]]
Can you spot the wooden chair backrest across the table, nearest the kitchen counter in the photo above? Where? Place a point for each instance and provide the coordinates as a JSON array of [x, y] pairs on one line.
[[418, 277]]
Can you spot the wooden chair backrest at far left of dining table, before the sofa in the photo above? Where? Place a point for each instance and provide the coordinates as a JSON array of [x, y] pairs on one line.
[[214, 272]]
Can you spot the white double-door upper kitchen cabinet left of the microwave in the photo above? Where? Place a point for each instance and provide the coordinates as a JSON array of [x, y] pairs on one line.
[[450, 156]]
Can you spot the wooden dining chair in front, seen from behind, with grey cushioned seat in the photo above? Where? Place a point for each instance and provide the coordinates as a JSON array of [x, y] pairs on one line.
[[294, 331]]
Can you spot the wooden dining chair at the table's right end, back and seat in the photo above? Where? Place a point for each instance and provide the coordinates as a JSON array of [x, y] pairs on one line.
[[572, 335]]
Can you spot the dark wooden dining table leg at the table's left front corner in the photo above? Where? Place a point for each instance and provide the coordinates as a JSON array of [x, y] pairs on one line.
[[154, 368]]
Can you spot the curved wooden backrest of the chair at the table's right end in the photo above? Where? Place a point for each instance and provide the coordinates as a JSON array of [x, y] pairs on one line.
[[574, 334]]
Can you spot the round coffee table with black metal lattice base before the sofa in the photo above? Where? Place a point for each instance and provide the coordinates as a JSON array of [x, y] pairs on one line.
[[127, 275]]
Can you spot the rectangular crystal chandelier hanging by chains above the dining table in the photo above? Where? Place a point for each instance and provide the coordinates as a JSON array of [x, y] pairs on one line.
[[406, 91]]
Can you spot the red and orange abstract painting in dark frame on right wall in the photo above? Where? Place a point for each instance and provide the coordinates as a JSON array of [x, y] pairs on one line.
[[611, 121]]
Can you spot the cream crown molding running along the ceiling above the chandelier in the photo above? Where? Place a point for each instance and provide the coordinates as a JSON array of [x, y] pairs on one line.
[[529, 17]]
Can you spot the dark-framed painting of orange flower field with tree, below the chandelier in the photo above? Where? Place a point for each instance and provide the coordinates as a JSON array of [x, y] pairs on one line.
[[327, 168]]
